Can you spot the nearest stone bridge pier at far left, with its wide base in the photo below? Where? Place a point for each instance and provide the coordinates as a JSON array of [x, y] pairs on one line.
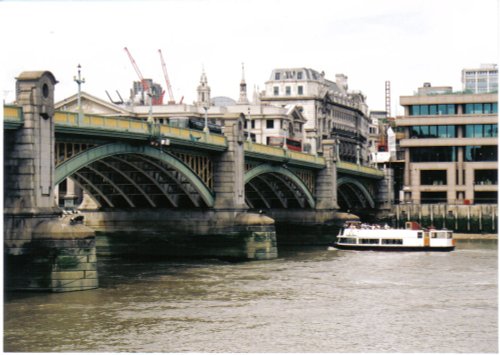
[[43, 251]]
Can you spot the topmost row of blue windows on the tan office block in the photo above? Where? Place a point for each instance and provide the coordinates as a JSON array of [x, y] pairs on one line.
[[451, 109]]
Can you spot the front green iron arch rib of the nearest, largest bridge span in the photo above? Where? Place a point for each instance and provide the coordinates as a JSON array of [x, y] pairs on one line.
[[71, 166]]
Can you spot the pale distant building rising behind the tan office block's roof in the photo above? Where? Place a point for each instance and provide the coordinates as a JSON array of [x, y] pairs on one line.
[[480, 80]]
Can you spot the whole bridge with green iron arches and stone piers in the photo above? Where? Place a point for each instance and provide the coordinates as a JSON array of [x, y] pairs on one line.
[[145, 178]]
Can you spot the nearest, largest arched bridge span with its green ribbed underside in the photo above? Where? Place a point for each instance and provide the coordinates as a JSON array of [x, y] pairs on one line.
[[120, 175]]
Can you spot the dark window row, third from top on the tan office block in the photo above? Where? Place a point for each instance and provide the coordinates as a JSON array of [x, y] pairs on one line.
[[449, 154]]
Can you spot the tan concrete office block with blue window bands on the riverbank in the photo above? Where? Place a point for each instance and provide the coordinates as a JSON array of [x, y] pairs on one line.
[[450, 147]]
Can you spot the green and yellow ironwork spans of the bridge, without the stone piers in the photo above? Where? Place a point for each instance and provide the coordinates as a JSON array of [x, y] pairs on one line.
[[96, 148]]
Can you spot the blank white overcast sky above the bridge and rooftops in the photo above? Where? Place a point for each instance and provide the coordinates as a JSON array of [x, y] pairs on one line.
[[370, 41]]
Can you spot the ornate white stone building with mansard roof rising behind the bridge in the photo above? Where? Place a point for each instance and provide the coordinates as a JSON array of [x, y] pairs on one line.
[[331, 111]]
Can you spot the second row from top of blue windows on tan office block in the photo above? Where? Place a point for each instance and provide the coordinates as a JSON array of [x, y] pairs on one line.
[[448, 131]]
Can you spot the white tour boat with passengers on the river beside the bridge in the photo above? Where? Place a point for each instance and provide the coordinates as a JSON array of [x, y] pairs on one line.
[[357, 236]]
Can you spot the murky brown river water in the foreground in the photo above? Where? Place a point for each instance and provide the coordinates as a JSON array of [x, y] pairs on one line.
[[307, 300]]
